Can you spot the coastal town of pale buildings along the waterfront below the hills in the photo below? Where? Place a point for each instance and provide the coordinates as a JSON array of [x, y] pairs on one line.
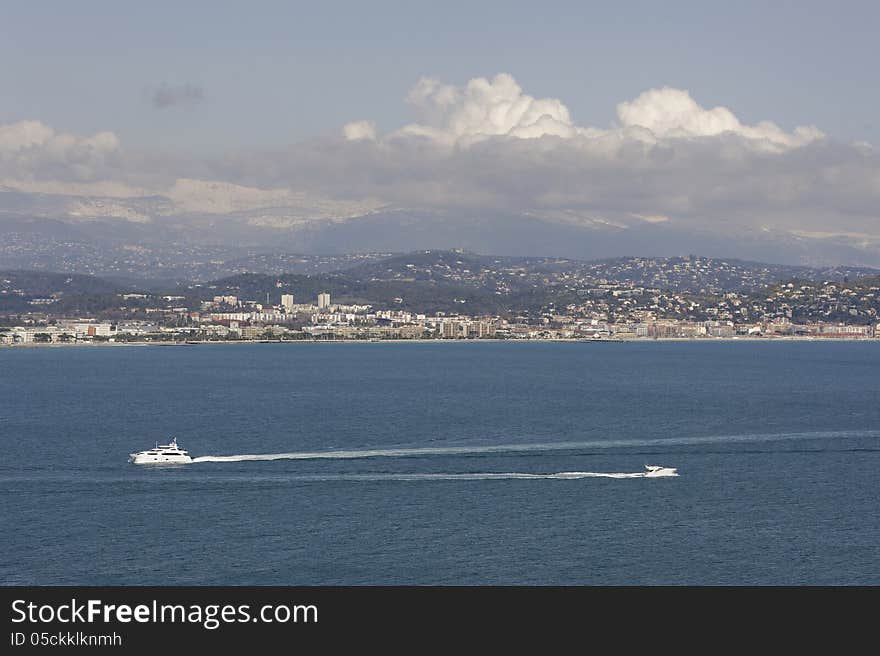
[[610, 312]]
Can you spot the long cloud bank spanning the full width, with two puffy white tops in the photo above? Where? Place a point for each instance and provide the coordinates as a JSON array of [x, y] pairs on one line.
[[490, 148]]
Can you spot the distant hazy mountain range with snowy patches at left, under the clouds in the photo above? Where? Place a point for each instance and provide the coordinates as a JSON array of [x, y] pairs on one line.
[[45, 236]]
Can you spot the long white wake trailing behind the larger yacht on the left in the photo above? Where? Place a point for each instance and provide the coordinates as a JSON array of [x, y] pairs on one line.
[[543, 446]]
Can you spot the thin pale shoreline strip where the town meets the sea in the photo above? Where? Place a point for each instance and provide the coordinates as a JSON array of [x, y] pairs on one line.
[[703, 340]]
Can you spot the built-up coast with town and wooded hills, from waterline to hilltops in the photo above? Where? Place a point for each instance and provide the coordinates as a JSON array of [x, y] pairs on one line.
[[454, 295]]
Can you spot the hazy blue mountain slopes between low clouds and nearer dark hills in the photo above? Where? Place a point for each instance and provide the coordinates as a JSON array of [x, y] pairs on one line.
[[176, 249]]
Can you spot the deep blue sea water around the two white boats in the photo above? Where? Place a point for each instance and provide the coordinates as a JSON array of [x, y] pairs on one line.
[[776, 445]]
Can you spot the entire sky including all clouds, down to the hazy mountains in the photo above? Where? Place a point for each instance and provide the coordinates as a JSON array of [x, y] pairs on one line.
[[728, 119]]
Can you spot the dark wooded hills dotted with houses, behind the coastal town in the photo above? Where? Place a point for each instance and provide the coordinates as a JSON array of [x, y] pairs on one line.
[[460, 282]]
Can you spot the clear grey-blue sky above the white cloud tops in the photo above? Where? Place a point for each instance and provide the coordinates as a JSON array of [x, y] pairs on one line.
[[274, 73]]
